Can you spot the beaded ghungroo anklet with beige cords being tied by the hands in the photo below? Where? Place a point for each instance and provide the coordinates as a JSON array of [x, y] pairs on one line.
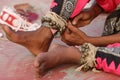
[[54, 21]]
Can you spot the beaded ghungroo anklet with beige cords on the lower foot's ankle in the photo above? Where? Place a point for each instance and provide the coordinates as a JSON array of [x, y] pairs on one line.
[[87, 60]]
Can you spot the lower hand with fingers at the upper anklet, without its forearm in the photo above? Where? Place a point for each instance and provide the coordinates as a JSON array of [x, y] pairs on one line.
[[74, 36]]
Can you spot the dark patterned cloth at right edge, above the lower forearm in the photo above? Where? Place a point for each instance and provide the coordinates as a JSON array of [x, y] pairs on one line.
[[112, 24]]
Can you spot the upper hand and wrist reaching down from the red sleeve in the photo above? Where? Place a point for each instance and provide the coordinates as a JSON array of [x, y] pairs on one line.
[[86, 16]]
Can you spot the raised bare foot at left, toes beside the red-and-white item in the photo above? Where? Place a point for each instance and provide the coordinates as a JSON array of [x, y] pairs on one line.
[[35, 41]]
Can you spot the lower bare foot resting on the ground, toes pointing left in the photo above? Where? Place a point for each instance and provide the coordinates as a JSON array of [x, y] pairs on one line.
[[56, 56]]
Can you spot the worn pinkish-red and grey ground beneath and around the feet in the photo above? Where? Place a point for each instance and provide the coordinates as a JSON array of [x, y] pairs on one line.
[[16, 62]]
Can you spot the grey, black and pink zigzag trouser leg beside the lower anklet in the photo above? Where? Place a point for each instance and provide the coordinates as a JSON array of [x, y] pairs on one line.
[[108, 59]]
